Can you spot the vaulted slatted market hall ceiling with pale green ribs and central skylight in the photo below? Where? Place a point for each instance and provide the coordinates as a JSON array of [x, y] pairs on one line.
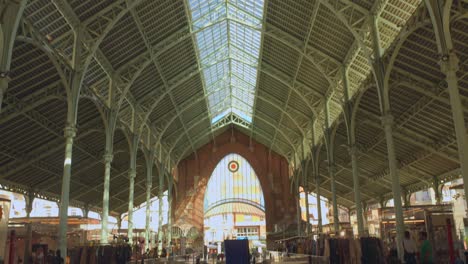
[[182, 72]]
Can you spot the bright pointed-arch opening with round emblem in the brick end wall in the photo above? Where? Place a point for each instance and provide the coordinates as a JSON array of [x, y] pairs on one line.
[[234, 205]]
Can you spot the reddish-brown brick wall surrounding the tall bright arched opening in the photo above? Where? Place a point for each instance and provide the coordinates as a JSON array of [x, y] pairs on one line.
[[272, 171]]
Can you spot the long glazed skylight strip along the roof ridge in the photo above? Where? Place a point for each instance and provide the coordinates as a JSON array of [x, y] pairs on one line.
[[228, 35]]
